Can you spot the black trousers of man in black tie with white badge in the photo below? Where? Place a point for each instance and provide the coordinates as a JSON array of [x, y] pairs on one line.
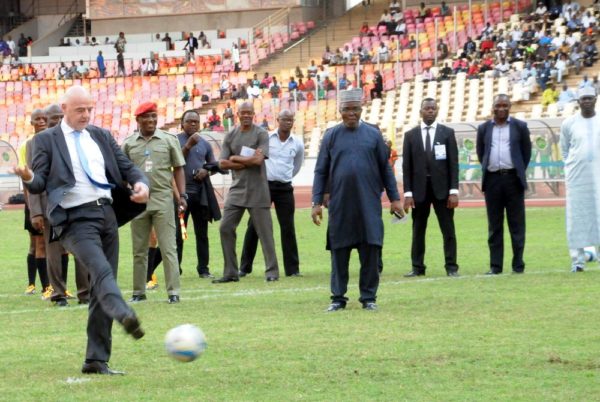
[[445, 217]]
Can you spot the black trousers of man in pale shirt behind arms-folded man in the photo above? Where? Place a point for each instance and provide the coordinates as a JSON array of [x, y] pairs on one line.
[[282, 196]]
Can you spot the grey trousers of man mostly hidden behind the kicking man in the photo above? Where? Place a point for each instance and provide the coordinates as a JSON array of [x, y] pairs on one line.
[[54, 253]]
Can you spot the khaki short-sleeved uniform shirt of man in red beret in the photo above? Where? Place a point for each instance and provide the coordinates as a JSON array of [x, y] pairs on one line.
[[156, 157]]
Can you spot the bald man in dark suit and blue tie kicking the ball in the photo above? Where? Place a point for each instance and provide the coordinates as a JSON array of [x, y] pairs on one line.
[[83, 170]]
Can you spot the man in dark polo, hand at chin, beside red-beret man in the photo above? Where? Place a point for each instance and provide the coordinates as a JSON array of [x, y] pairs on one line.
[[202, 203]]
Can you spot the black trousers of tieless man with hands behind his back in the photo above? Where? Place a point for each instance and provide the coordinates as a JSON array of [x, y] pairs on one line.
[[504, 192]]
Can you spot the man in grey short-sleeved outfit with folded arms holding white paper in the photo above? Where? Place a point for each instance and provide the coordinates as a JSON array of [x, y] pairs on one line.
[[245, 149]]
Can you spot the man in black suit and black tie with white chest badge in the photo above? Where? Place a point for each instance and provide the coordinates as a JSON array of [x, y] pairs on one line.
[[430, 174]]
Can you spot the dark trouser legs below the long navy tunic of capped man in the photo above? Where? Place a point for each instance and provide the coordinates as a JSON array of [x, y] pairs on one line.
[[368, 282]]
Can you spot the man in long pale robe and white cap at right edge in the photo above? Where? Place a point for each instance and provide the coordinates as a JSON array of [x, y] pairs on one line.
[[580, 147]]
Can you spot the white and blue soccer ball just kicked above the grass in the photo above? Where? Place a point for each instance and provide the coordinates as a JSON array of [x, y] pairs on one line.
[[185, 342]]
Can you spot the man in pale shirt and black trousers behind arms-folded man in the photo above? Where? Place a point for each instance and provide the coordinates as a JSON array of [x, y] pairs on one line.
[[286, 155]]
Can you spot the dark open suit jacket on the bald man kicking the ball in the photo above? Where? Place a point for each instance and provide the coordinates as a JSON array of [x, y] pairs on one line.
[[54, 174]]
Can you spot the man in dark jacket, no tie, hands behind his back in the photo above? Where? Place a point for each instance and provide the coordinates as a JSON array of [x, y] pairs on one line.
[[504, 151]]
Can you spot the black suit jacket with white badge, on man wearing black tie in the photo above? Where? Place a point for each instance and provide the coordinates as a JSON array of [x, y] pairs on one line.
[[444, 173]]
